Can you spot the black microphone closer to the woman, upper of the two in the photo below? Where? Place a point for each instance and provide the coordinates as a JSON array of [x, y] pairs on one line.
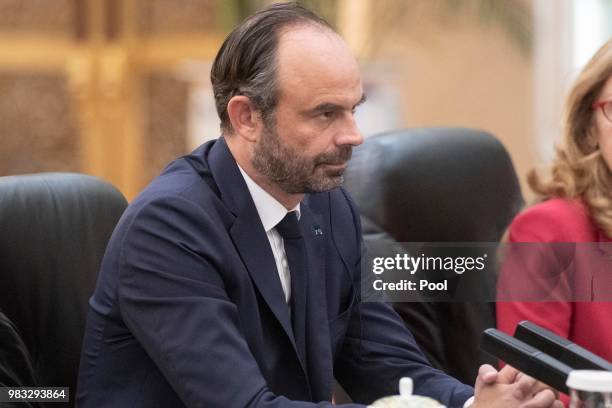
[[557, 347]]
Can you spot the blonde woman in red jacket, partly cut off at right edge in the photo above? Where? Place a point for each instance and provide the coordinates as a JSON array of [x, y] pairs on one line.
[[575, 205]]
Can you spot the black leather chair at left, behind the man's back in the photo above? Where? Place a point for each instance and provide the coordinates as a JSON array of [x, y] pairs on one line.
[[54, 228]]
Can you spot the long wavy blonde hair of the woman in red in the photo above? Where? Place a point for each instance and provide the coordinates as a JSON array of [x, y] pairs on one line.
[[579, 170]]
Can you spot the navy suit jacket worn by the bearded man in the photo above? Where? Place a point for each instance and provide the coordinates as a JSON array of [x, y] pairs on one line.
[[189, 310]]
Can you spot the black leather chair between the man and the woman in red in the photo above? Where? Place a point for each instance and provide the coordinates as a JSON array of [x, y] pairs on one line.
[[437, 185]]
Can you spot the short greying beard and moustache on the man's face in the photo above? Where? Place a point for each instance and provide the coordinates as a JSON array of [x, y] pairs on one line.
[[295, 173]]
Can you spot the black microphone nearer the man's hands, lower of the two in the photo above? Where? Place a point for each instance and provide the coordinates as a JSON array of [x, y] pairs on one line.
[[525, 358]]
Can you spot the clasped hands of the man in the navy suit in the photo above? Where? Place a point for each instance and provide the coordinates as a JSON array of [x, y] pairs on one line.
[[511, 388]]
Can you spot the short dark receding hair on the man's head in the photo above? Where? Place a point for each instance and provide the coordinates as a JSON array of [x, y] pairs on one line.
[[246, 62]]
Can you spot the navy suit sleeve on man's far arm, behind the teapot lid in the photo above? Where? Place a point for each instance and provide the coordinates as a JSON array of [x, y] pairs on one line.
[[378, 350]]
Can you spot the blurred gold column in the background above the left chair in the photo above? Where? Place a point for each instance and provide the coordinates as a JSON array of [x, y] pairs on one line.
[[104, 76]]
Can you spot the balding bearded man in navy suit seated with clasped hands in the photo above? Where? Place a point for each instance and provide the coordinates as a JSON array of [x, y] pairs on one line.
[[233, 279]]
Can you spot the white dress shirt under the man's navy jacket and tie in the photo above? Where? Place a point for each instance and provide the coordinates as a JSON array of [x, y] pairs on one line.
[[271, 212]]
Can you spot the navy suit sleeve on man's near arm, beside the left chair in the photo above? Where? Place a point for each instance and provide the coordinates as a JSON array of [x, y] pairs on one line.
[[172, 297]]
